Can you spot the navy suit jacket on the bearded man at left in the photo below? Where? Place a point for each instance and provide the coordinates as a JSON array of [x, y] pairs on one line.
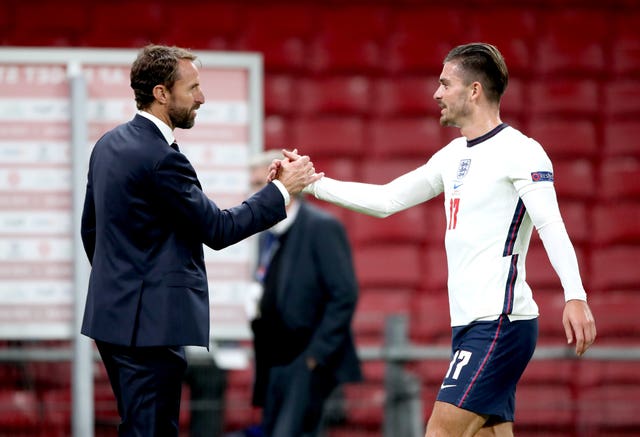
[[144, 222]]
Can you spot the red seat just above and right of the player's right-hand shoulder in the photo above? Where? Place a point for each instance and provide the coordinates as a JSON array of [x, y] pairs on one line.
[[565, 139]]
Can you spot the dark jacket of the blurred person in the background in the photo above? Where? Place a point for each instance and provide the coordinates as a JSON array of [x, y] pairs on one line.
[[317, 293]]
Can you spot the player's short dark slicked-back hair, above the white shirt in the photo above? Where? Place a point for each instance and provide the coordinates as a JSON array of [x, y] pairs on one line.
[[484, 63]]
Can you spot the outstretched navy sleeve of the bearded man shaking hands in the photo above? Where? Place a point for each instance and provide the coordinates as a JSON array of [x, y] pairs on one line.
[[180, 194]]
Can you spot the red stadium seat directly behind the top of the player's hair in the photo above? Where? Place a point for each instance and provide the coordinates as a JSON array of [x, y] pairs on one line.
[[511, 30]]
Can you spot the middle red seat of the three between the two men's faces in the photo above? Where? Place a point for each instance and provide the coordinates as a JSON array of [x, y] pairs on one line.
[[334, 95]]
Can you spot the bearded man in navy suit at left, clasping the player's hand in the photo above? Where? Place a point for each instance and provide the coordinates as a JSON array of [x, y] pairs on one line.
[[144, 222]]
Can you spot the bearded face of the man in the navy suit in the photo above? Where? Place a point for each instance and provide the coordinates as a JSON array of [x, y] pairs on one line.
[[185, 96]]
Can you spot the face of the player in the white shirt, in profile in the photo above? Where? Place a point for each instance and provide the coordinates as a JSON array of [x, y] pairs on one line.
[[452, 96]]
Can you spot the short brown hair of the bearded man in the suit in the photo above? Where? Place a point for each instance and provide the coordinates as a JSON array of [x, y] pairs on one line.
[[155, 65]]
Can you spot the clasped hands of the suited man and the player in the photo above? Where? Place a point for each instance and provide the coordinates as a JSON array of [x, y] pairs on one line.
[[294, 171]]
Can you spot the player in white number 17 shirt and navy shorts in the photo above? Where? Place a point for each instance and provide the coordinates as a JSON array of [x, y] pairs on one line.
[[497, 185]]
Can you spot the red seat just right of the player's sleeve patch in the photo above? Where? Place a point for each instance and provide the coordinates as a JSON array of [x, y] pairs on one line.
[[575, 179]]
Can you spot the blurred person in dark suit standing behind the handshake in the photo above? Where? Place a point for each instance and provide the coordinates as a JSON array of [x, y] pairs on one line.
[[303, 341]]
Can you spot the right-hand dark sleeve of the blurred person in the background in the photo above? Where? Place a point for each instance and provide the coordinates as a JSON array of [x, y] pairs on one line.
[[335, 265]]
